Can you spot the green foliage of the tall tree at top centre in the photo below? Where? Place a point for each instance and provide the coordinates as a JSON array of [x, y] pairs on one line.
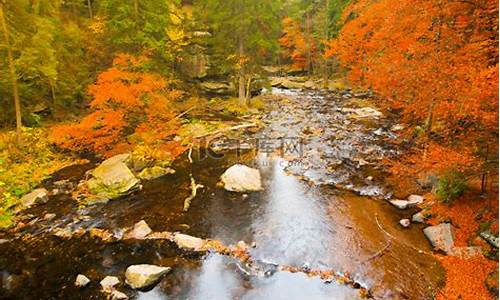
[[253, 23]]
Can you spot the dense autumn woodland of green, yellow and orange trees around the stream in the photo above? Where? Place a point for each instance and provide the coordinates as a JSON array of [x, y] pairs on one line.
[[111, 76]]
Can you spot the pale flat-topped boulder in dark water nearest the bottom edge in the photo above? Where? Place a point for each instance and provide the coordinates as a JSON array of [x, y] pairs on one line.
[[144, 276]]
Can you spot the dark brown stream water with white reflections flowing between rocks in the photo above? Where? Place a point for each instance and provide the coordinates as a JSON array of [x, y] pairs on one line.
[[324, 217]]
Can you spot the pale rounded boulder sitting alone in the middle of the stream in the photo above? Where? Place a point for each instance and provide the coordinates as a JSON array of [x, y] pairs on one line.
[[240, 178]]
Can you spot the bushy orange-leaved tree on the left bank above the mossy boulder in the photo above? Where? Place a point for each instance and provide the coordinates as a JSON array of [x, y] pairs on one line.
[[130, 107]]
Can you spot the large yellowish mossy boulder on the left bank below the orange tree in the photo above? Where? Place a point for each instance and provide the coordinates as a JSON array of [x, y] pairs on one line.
[[112, 178]]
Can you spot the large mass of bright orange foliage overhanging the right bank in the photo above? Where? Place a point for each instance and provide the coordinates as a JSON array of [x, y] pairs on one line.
[[437, 62]]
